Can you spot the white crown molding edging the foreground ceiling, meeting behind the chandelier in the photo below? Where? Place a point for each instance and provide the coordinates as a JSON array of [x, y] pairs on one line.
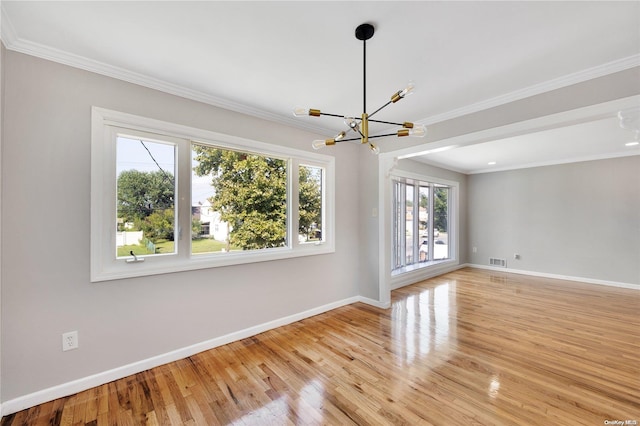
[[13, 42]]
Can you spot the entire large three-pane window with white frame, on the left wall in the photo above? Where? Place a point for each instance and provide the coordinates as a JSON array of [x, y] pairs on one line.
[[151, 183]]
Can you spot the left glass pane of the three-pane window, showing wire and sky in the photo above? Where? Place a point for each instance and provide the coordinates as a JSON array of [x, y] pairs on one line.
[[145, 197]]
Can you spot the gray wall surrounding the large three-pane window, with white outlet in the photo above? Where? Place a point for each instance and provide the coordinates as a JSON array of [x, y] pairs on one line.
[[45, 268]]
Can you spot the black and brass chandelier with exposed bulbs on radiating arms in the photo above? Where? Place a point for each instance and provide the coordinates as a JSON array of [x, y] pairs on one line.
[[360, 126]]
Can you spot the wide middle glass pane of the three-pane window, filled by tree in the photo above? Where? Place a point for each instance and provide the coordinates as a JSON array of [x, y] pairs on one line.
[[245, 207]]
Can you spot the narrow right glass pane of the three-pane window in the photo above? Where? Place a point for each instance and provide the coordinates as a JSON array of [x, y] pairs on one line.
[[310, 204]]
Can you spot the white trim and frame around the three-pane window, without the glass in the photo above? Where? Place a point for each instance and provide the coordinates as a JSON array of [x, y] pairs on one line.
[[103, 264]]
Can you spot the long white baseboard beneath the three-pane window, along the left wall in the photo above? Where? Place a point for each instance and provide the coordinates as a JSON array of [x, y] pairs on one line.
[[79, 385]]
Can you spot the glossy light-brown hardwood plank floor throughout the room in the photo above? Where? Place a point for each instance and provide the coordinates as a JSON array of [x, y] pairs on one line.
[[470, 347]]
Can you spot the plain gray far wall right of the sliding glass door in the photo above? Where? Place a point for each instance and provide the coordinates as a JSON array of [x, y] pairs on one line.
[[577, 220]]
